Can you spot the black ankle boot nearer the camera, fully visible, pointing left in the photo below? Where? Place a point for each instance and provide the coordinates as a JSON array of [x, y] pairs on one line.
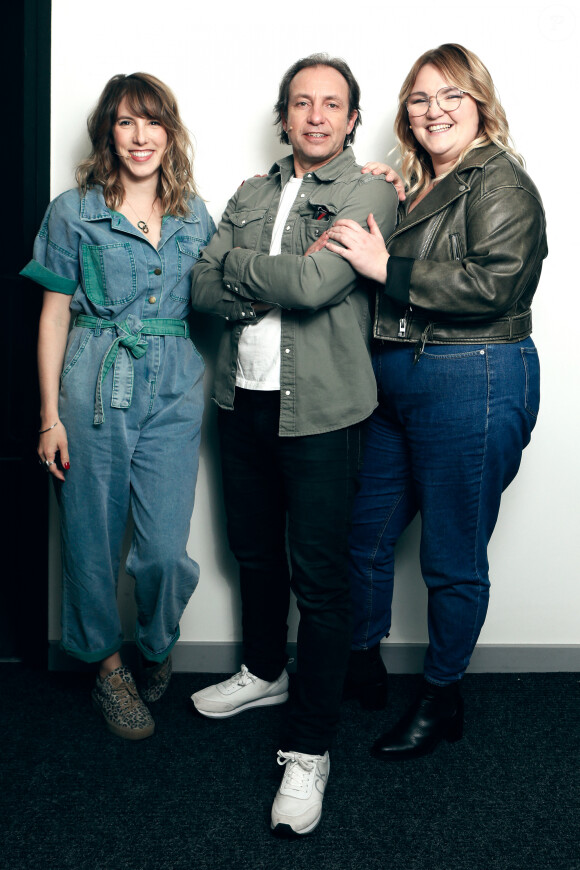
[[436, 715]]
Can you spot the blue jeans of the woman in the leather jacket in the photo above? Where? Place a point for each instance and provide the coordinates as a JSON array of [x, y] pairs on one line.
[[445, 441]]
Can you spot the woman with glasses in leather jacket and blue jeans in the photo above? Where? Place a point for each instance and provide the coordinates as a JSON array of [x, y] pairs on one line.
[[457, 374]]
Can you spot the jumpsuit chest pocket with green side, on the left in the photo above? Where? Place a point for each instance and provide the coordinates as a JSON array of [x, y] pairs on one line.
[[109, 273]]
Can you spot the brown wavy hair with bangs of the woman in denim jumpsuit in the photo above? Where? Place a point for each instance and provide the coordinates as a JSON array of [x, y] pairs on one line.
[[147, 97]]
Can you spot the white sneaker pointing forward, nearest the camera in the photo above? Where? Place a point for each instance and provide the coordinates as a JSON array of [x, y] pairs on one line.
[[297, 806]]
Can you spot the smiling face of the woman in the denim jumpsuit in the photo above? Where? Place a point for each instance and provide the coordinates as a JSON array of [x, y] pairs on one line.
[[139, 143]]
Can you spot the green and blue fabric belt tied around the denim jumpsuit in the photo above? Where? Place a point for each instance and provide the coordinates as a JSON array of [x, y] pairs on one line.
[[130, 337]]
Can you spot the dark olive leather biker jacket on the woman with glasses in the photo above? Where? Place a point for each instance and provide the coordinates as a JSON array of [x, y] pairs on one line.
[[466, 261]]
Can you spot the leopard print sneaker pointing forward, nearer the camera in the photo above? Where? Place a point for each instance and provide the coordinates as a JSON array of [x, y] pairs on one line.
[[116, 698]]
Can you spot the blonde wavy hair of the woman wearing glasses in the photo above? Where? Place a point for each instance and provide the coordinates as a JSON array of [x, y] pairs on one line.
[[463, 69]]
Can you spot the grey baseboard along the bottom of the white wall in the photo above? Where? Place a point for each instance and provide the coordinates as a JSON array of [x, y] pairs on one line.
[[400, 658]]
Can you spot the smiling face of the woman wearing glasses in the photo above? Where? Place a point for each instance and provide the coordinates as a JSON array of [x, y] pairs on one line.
[[444, 135]]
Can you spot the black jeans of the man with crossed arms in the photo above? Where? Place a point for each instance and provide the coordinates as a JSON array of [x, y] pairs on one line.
[[292, 496]]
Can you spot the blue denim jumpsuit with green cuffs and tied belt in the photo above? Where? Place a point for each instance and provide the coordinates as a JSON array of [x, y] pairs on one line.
[[131, 399]]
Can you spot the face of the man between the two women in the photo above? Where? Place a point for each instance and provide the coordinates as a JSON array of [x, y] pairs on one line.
[[318, 120]]
